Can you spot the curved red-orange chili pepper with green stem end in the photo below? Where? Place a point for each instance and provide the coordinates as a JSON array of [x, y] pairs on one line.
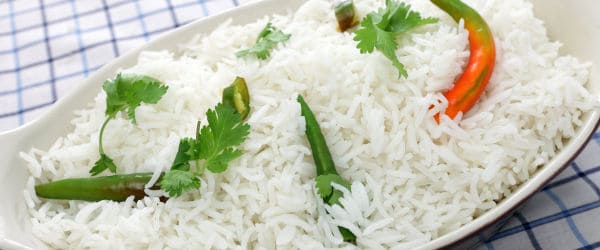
[[471, 84]]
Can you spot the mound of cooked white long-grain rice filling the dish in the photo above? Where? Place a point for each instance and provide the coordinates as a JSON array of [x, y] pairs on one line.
[[412, 179]]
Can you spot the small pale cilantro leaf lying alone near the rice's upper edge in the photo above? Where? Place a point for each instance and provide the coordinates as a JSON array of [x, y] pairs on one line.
[[267, 39]]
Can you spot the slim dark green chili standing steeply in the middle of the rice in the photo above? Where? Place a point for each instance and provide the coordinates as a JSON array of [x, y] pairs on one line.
[[326, 172]]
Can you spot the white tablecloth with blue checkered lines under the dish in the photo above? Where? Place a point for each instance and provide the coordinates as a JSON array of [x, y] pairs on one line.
[[48, 46]]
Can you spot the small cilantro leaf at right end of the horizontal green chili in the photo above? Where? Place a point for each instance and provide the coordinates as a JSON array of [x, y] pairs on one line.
[[176, 181]]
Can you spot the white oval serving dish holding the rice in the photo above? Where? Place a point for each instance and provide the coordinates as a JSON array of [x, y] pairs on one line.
[[574, 23]]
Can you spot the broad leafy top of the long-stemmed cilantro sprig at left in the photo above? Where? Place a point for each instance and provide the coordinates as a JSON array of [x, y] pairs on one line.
[[127, 92]]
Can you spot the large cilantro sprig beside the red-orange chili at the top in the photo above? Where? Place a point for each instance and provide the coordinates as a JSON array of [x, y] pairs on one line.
[[379, 30]]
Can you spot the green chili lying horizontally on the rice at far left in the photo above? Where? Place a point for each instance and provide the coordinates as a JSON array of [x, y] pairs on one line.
[[114, 187]]
